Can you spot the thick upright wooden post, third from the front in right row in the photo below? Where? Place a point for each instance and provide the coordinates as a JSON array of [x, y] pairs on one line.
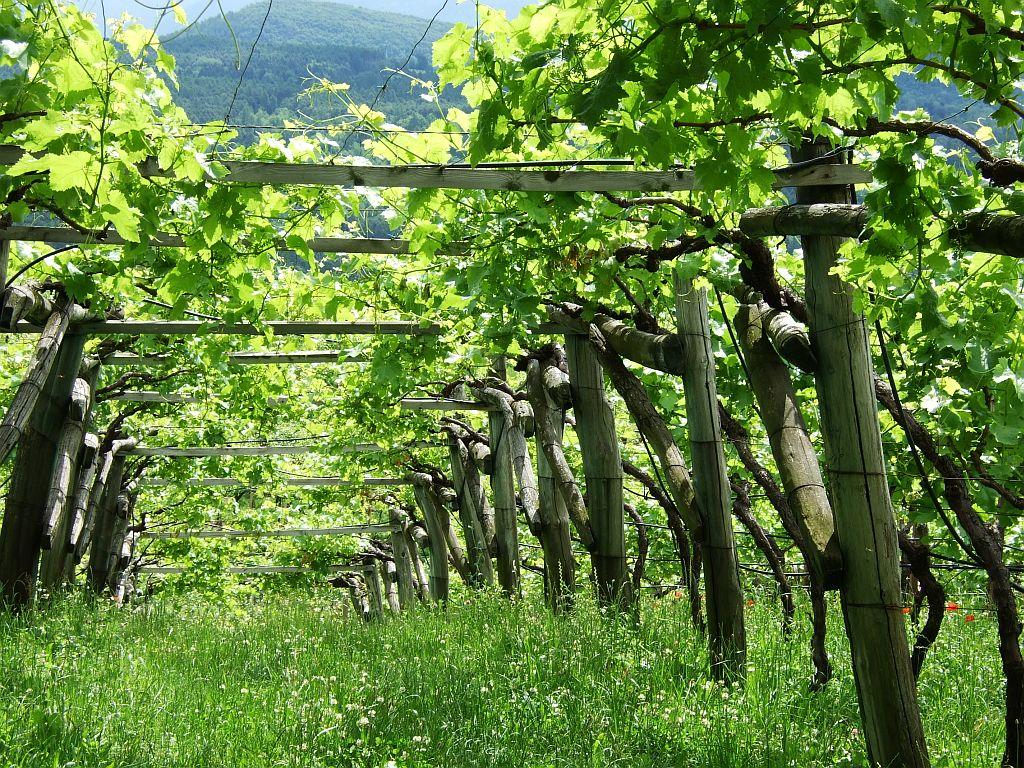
[[603, 470]]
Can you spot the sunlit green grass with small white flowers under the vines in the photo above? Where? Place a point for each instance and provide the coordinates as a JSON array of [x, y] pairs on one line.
[[287, 682]]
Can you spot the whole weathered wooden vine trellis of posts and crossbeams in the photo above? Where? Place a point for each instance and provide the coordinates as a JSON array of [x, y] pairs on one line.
[[862, 560]]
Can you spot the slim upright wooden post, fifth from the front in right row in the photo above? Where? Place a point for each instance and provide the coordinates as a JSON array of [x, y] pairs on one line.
[[503, 489]]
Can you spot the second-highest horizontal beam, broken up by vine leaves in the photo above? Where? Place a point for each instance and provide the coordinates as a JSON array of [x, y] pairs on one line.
[[67, 236]]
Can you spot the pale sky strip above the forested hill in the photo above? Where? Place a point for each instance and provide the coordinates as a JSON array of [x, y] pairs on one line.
[[452, 11]]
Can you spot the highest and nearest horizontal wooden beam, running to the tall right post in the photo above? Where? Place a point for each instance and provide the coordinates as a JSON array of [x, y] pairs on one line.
[[463, 178]]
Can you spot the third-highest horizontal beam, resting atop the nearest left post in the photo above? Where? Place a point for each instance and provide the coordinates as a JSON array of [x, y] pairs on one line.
[[280, 328]]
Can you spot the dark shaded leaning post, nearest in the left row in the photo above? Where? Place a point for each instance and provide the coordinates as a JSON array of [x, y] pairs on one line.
[[21, 535]]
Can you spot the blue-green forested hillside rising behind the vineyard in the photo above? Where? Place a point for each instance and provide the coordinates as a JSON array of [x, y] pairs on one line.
[[302, 41]]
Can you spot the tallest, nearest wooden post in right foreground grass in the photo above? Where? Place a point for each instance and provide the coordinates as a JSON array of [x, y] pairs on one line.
[[865, 521]]
